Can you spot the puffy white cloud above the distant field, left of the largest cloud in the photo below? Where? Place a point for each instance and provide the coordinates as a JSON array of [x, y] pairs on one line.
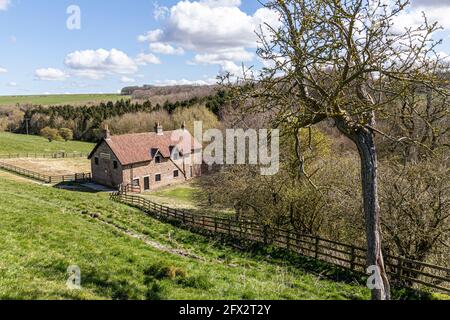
[[95, 64]]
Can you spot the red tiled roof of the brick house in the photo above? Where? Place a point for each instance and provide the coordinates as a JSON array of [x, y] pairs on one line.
[[136, 148]]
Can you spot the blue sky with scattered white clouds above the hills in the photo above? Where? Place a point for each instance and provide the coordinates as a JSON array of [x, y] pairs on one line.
[[100, 46]]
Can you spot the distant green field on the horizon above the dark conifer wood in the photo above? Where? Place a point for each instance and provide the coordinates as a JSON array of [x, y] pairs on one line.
[[59, 99]]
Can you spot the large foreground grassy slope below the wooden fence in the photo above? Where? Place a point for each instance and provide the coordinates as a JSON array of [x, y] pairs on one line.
[[44, 230]]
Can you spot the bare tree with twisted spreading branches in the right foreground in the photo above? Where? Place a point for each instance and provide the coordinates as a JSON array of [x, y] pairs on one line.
[[342, 62]]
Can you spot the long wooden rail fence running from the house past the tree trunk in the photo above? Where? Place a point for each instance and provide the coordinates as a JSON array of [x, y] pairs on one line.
[[403, 271]]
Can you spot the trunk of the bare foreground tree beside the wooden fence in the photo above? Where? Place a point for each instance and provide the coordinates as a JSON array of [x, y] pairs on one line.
[[364, 140]]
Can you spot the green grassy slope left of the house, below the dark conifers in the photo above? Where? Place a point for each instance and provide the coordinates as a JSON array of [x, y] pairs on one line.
[[16, 143]]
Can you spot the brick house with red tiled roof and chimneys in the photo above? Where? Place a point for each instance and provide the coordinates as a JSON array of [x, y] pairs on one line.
[[145, 161]]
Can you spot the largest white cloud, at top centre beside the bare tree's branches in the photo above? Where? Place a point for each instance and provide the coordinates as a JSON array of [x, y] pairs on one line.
[[217, 31]]
